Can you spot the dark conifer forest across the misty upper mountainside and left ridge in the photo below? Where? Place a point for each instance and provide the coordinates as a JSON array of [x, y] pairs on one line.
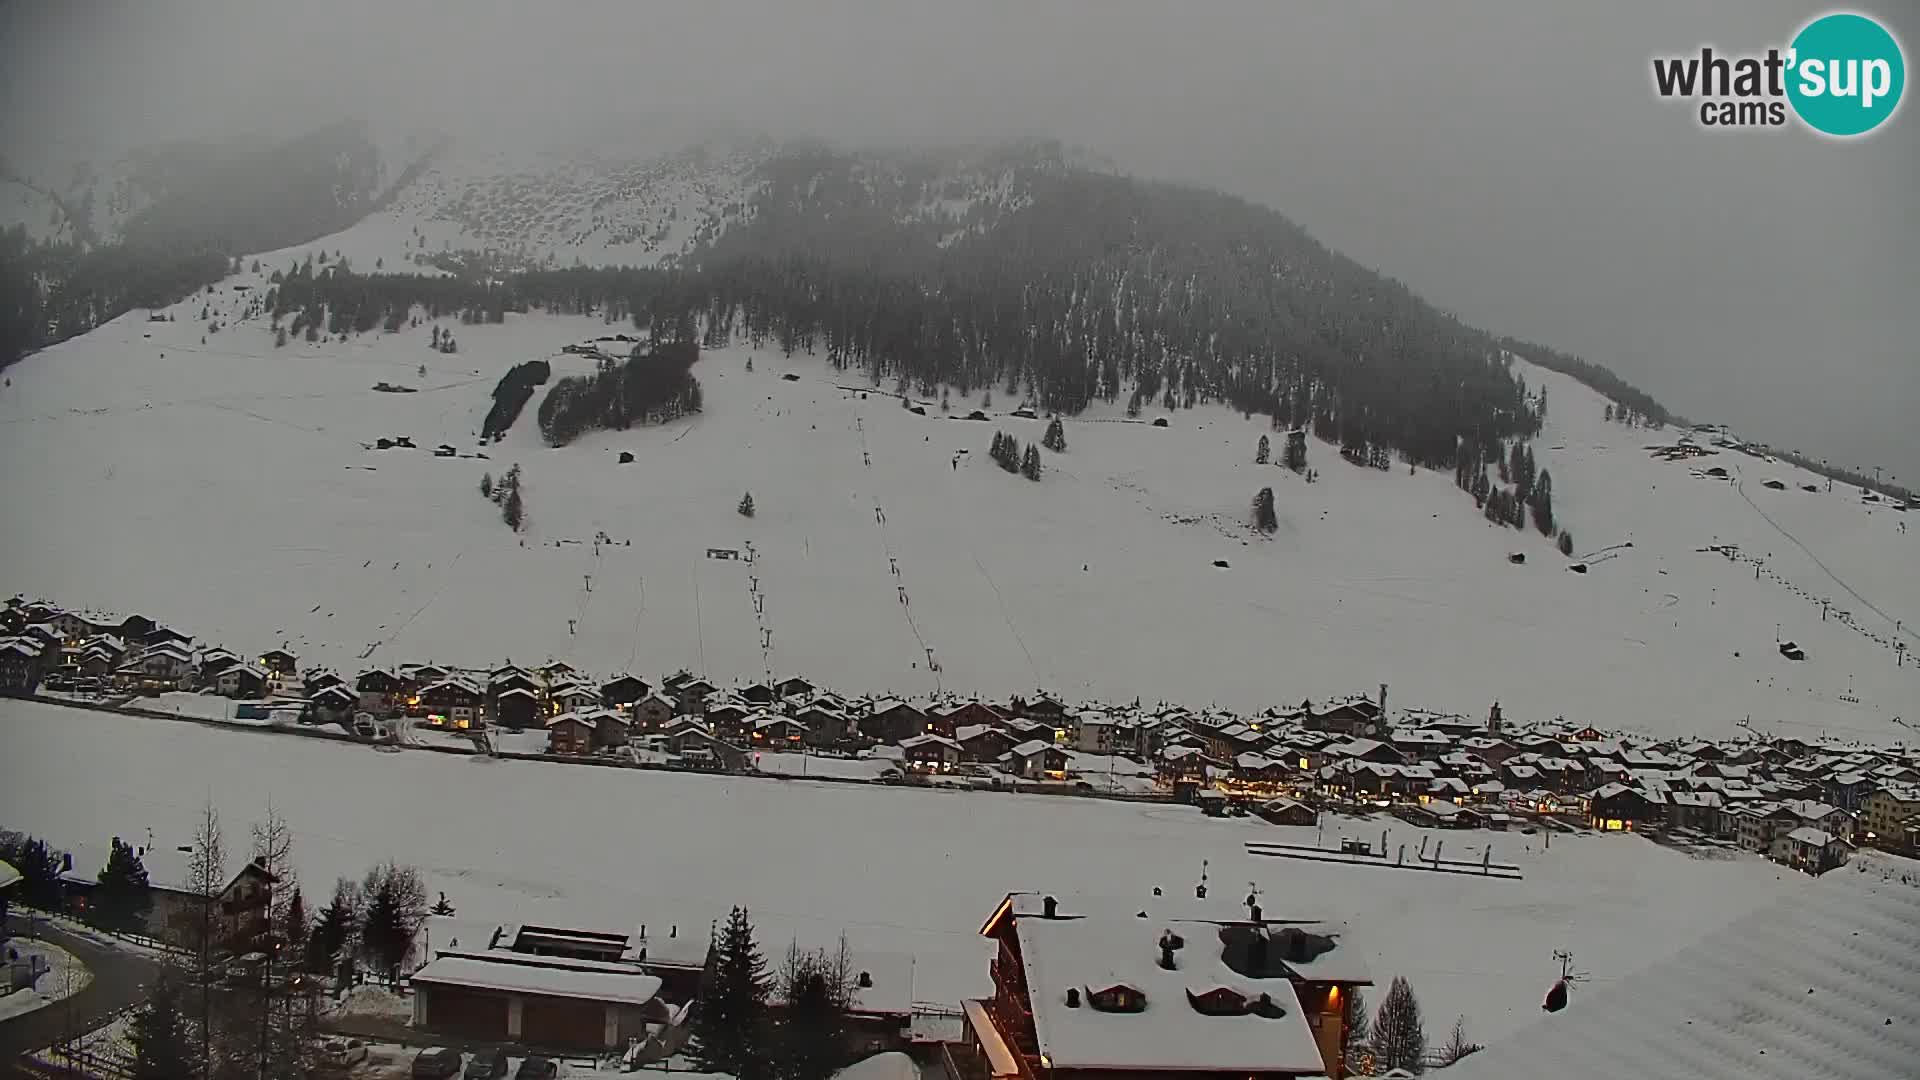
[[1009, 266]]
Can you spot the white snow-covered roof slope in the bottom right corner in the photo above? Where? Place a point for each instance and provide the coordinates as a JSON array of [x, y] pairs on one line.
[[1823, 985]]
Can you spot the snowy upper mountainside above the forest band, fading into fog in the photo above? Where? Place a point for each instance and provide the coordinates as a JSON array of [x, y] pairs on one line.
[[594, 209]]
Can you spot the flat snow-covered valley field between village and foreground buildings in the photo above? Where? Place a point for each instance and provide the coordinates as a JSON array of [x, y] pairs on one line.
[[896, 870]]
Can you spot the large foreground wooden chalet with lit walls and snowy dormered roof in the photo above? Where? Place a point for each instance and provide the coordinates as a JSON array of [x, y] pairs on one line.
[[1188, 993]]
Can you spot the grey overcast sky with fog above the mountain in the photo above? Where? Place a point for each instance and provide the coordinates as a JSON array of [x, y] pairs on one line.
[[1504, 159]]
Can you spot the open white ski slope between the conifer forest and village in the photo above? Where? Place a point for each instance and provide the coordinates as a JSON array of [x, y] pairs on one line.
[[231, 489]]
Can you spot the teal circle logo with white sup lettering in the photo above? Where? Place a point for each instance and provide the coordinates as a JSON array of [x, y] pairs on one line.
[[1846, 74]]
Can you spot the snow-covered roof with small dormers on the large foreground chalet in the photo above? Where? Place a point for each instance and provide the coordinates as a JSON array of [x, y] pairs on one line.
[[1095, 954]]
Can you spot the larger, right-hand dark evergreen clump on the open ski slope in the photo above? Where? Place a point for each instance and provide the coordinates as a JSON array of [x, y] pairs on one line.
[[654, 385]]
